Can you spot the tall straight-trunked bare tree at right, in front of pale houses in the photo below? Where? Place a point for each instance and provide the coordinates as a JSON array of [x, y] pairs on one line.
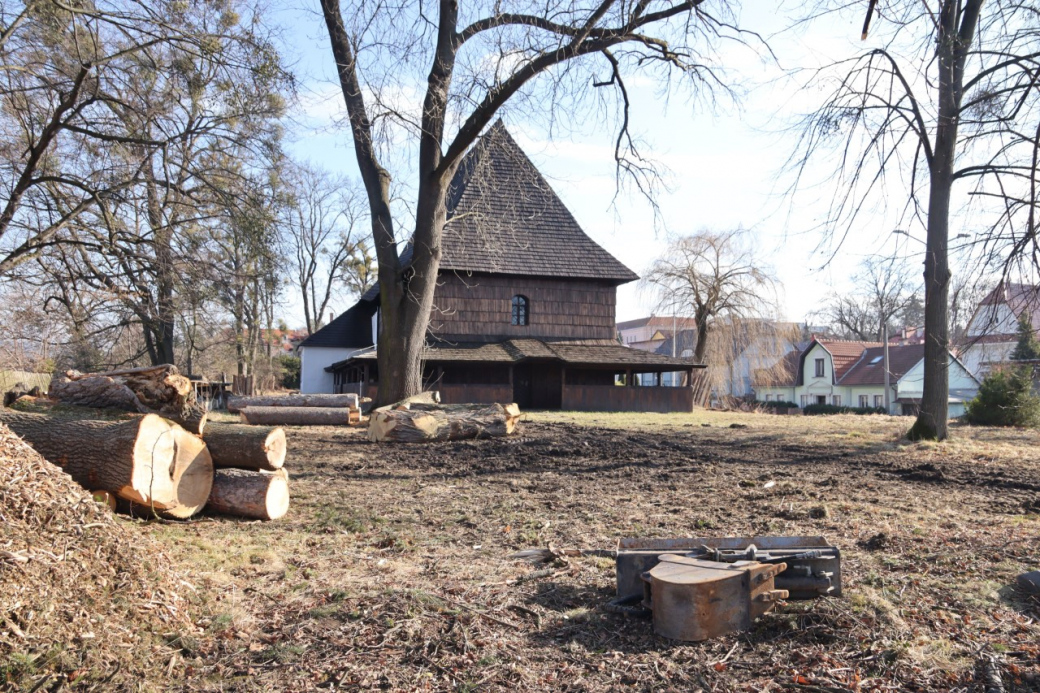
[[947, 101]]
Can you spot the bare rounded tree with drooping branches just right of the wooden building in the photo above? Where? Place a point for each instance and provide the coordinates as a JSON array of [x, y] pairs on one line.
[[715, 278]]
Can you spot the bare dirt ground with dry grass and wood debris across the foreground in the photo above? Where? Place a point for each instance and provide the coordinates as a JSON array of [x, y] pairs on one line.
[[393, 570]]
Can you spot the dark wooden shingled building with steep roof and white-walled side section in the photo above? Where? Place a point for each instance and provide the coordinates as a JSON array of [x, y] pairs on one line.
[[525, 307]]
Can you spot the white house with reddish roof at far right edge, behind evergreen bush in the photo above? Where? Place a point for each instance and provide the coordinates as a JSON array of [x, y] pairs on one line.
[[993, 332]]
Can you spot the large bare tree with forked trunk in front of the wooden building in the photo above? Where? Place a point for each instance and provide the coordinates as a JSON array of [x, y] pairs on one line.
[[477, 61]]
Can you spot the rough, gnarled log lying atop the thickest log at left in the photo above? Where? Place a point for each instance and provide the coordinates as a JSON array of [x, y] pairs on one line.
[[154, 390]]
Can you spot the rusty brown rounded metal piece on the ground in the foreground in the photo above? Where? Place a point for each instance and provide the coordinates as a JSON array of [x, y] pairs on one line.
[[694, 600]]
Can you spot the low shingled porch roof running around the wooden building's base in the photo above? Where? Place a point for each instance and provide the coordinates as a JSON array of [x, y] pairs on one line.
[[605, 353]]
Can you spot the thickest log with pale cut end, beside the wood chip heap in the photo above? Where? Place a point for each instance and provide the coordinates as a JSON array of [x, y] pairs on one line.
[[148, 461]]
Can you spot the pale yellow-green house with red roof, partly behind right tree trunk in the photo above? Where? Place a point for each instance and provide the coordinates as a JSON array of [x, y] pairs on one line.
[[852, 374]]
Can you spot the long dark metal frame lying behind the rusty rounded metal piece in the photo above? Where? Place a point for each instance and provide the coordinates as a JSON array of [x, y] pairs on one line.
[[814, 567]]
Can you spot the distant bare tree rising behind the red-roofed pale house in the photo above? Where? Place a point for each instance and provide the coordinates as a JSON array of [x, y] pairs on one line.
[[886, 294]]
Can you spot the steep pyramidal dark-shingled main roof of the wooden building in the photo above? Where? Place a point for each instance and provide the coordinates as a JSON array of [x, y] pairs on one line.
[[504, 218]]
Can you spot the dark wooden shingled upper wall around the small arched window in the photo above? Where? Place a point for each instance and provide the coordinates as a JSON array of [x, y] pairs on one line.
[[480, 307]]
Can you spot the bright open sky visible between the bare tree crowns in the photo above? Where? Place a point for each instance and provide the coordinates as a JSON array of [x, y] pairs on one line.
[[725, 165]]
